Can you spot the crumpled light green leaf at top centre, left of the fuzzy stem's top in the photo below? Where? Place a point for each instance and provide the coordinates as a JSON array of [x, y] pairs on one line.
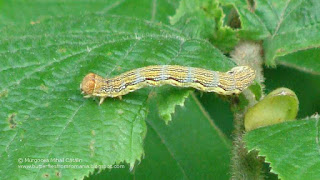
[[205, 19]]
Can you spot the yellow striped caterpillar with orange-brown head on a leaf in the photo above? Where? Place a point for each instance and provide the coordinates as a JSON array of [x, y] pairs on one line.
[[225, 83]]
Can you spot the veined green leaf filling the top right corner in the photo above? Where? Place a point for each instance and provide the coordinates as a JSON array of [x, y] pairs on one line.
[[285, 26]]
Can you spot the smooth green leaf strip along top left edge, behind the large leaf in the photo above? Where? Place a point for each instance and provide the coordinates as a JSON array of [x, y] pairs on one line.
[[34, 11]]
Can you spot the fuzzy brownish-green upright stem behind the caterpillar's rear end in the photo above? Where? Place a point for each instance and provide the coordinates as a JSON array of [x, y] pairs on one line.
[[246, 165]]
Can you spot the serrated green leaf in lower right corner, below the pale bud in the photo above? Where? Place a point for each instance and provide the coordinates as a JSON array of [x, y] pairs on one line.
[[292, 148]]
